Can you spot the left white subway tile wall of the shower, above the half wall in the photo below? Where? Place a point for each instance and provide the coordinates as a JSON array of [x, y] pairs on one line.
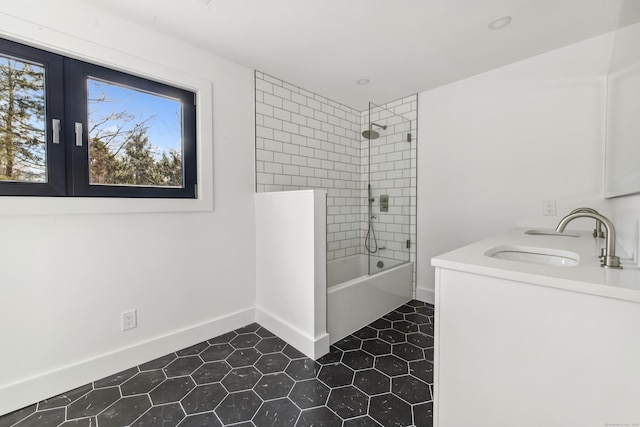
[[303, 141]]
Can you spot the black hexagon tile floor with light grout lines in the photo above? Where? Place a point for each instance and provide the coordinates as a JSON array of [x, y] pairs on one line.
[[382, 375]]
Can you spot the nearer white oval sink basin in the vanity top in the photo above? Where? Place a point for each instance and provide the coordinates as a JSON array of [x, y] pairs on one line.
[[531, 255]]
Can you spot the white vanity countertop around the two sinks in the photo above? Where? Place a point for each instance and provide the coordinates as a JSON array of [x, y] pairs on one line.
[[587, 277]]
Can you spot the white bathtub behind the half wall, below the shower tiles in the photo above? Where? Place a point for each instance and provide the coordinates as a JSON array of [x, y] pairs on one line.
[[355, 299]]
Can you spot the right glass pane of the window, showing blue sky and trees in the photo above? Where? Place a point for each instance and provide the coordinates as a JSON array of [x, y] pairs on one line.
[[135, 137]]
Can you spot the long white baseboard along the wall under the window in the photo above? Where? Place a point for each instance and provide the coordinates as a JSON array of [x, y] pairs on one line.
[[45, 385]]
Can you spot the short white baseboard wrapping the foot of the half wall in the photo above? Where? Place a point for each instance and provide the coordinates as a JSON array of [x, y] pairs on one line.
[[313, 347]]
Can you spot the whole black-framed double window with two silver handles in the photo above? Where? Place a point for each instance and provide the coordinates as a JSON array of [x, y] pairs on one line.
[[70, 128]]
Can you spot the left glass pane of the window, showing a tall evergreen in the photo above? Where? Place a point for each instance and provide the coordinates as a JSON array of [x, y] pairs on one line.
[[22, 121]]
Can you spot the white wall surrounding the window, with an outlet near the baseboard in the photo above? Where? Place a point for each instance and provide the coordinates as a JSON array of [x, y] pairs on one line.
[[65, 278]]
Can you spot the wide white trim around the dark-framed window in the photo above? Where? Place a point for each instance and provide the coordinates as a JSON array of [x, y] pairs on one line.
[[51, 40]]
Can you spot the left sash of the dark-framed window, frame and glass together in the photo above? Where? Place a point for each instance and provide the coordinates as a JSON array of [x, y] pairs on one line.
[[31, 105]]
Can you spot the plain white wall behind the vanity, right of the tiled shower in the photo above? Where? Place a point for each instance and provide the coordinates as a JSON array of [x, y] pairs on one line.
[[494, 146]]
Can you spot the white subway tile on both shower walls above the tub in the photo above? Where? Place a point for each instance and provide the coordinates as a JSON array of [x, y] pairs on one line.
[[304, 141]]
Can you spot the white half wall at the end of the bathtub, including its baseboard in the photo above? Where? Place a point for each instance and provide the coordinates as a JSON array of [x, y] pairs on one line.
[[291, 268]]
